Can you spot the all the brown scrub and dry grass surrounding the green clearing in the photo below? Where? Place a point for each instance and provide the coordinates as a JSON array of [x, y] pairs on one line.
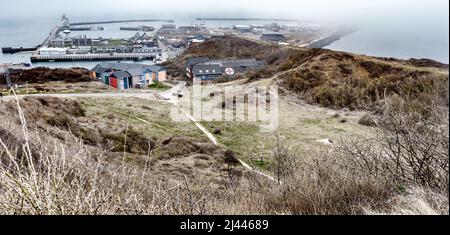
[[73, 168]]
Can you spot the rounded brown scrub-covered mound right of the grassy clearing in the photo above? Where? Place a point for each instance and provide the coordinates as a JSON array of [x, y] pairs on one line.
[[340, 80]]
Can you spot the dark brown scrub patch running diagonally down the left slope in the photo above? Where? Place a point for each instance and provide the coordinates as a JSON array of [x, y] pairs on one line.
[[170, 159]]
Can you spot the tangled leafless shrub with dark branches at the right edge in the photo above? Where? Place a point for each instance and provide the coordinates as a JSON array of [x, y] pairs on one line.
[[410, 150]]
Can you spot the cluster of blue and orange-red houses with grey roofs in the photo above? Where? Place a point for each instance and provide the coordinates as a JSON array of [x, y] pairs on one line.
[[124, 76]]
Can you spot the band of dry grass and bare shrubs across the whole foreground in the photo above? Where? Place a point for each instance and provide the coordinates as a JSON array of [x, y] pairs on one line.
[[356, 178]]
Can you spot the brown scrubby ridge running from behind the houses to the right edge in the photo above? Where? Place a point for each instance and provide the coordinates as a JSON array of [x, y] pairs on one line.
[[329, 78]]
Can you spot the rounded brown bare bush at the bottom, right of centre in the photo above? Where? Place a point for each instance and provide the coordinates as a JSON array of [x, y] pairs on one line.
[[325, 187]]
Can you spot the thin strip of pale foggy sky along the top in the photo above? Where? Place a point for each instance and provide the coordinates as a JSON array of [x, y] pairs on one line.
[[326, 10]]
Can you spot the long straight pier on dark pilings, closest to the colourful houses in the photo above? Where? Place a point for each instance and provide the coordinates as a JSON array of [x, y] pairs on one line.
[[93, 57]]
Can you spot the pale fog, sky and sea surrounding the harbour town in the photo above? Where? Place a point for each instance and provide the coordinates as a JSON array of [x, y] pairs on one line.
[[395, 28]]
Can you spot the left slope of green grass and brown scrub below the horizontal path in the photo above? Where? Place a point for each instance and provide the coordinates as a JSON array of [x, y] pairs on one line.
[[114, 128]]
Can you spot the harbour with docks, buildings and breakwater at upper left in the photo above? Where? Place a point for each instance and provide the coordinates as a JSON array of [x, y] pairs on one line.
[[59, 46]]
